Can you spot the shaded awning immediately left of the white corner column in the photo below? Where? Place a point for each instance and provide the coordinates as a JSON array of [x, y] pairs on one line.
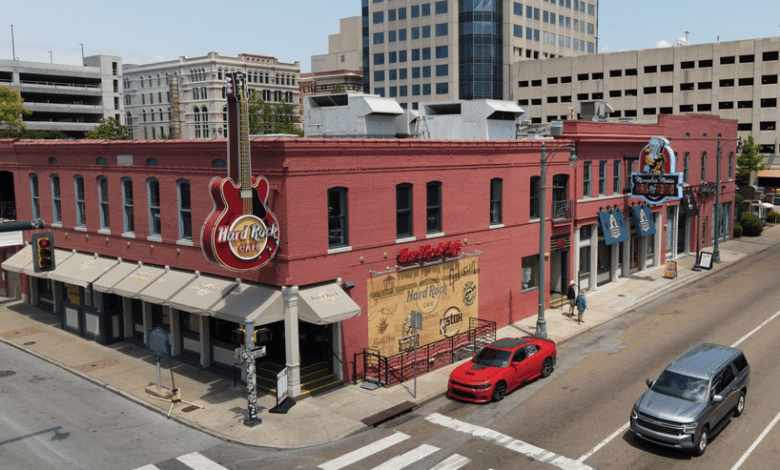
[[263, 304]]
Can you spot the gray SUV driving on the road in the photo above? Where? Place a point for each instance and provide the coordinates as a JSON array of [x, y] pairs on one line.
[[693, 398]]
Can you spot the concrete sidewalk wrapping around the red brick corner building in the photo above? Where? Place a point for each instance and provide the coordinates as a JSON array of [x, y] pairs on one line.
[[128, 370]]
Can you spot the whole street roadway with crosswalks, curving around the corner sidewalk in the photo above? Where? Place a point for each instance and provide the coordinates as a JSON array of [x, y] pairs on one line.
[[575, 419]]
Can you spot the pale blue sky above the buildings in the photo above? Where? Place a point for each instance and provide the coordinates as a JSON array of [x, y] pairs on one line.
[[145, 31]]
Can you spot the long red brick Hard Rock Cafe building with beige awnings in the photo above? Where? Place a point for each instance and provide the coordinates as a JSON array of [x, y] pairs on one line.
[[348, 209]]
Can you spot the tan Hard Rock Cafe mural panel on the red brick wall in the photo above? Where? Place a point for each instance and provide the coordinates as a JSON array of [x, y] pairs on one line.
[[445, 294]]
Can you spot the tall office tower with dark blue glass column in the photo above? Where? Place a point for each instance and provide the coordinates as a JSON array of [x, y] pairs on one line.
[[422, 50]]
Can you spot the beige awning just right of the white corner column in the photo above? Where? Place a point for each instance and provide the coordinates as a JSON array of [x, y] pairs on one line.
[[326, 304]]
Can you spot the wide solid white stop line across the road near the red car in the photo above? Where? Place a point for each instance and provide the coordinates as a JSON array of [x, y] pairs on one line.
[[508, 442]]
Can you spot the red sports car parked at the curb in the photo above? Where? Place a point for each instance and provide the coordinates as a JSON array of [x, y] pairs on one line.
[[502, 366]]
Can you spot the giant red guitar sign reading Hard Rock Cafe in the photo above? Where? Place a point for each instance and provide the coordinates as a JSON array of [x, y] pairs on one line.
[[241, 233]]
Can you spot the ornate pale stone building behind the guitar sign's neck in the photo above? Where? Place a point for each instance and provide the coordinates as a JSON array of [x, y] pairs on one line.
[[185, 98]]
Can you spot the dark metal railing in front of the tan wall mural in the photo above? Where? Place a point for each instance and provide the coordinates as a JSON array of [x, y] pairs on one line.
[[389, 370]]
